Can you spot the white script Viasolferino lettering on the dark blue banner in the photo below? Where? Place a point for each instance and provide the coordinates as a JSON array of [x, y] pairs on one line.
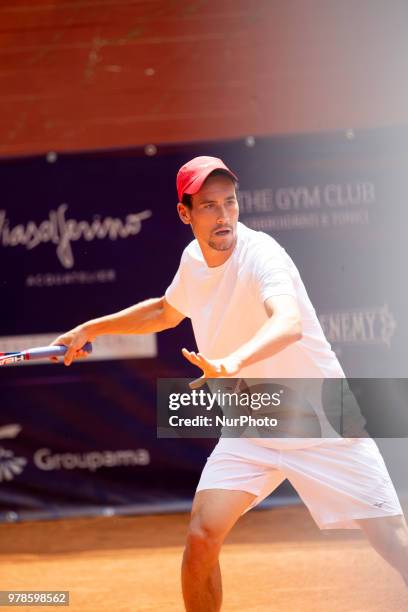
[[62, 232]]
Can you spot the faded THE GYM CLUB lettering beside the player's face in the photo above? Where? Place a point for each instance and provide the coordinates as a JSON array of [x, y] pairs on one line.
[[302, 207]]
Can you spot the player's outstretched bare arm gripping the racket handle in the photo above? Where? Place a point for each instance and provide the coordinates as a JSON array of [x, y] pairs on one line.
[[146, 317]]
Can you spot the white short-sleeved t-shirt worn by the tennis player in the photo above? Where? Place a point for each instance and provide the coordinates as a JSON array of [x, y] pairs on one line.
[[226, 308]]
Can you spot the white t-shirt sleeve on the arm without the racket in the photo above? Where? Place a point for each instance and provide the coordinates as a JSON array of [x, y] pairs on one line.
[[272, 272]]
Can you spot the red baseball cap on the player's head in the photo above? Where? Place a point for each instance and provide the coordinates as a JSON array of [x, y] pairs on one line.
[[192, 175]]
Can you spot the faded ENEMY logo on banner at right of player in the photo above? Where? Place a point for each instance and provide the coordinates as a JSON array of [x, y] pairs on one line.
[[374, 325]]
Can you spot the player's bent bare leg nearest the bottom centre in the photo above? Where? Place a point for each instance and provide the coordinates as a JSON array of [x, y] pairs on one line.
[[214, 513]]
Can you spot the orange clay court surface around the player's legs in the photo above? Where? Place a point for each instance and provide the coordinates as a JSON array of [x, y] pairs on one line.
[[274, 560]]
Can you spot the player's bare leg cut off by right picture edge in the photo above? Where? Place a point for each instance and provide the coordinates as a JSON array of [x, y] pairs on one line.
[[389, 536]]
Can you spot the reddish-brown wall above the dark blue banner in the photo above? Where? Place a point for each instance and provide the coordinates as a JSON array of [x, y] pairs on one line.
[[86, 74]]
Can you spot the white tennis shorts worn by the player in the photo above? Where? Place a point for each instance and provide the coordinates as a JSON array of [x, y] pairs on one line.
[[338, 480]]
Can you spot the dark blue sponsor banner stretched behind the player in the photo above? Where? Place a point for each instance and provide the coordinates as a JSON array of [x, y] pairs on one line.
[[83, 235]]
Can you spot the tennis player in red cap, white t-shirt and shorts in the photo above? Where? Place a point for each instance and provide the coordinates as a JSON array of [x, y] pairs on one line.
[[252, 317]]
